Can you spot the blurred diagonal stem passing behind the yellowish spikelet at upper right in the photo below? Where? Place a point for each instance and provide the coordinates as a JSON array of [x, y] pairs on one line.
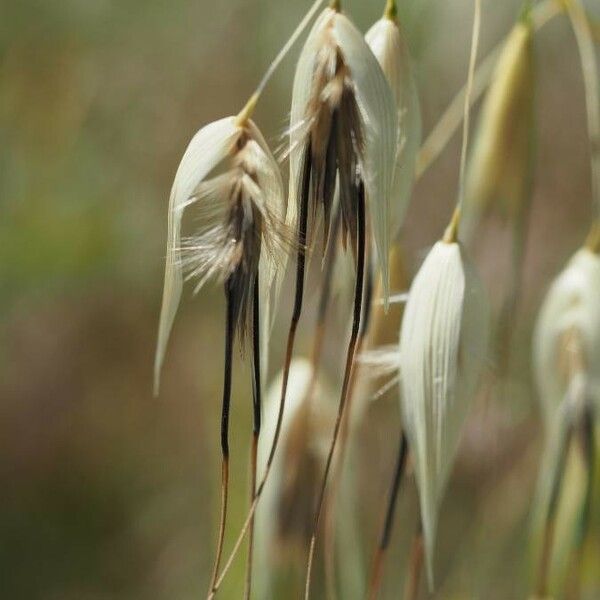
[[450, 121]]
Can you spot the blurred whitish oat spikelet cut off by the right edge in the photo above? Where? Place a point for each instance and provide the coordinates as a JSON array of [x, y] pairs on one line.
[[567, 368]]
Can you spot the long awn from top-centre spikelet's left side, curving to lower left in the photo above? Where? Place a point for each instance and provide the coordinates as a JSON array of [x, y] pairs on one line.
[[297, 311]]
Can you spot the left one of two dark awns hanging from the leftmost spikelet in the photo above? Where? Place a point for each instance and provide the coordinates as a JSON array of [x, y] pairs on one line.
[[227, 371]]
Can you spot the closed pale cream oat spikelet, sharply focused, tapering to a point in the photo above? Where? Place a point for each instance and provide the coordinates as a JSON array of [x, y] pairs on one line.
[[443, 345]]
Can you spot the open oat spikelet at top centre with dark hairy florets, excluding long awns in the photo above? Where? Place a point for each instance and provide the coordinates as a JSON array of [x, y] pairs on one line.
[[344, 121]]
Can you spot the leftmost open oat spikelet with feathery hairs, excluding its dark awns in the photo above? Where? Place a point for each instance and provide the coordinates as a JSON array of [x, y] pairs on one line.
[[229, 171]]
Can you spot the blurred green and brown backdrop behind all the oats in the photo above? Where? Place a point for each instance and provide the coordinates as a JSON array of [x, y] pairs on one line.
[[109, 493]]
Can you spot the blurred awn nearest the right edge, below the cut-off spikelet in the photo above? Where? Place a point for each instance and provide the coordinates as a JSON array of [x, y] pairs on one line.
[[589, 452]]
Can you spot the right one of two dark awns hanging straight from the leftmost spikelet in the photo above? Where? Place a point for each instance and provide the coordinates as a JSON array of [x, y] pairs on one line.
[[256, 414]]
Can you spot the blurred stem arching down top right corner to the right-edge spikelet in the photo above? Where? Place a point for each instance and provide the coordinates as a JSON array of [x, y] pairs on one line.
[[589, 67]]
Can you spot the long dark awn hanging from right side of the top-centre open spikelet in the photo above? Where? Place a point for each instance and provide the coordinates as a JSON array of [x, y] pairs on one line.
[[358, 297]]
